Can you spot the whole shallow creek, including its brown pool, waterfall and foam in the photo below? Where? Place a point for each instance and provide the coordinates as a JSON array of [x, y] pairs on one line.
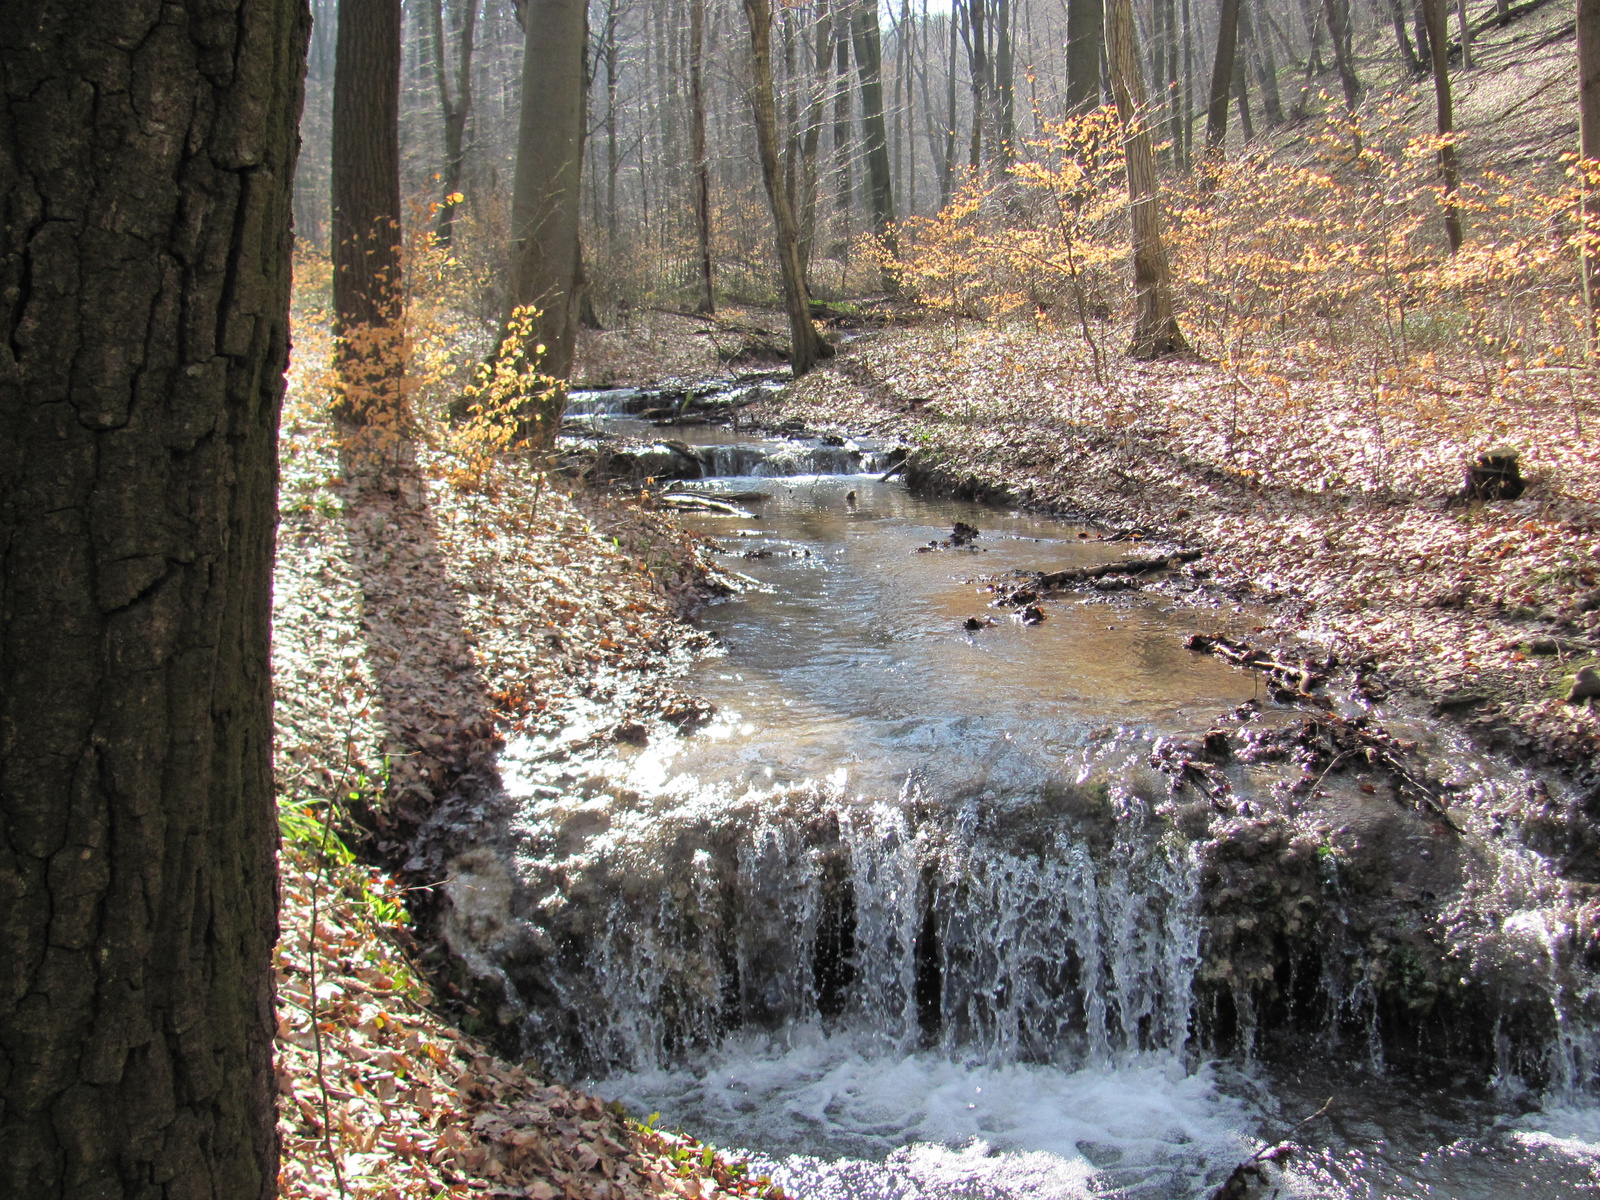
[[903, 921]]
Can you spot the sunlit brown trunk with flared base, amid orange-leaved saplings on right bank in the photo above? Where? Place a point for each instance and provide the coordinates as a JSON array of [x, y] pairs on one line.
[[1156, 330]]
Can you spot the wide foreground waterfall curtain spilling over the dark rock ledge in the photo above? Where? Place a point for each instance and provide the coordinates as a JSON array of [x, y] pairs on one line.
[[993, 935]]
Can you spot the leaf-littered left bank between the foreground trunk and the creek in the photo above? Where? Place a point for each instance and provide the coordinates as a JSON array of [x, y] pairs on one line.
[[414, 630]]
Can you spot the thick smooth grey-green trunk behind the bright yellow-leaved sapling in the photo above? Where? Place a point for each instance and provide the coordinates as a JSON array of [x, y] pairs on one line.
[[546, 196]]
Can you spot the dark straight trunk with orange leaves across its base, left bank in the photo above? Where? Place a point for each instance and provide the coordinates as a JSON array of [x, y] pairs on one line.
[[369, 297]]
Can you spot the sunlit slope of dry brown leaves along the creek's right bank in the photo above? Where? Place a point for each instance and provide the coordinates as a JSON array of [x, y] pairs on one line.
[[1306, 494]]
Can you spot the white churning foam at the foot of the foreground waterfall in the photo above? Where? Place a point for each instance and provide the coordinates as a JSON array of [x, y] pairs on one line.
[[833, 1121]]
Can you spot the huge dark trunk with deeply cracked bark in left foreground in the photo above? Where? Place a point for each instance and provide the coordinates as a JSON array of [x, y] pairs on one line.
[[146, 164]]
